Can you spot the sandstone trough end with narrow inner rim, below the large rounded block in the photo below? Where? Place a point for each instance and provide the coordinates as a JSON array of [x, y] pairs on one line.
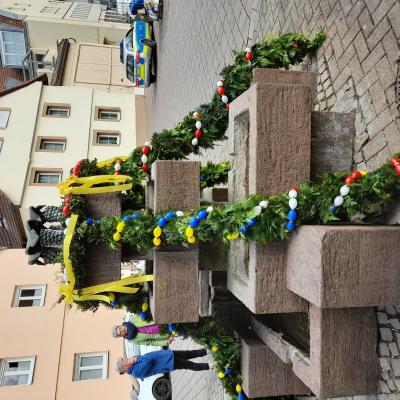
[[341, 357]]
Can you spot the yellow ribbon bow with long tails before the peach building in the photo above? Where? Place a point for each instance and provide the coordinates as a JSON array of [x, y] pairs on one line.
[[97, 292]]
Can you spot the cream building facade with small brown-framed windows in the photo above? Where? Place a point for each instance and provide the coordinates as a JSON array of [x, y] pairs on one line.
[[45, 130]]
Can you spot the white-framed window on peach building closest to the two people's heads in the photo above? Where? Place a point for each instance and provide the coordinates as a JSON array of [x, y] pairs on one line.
[[90, 366]]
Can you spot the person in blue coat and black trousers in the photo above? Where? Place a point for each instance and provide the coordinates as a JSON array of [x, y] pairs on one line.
[[159, 362]]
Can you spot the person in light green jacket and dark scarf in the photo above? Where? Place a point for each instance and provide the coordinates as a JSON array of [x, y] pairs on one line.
[[141, 332]]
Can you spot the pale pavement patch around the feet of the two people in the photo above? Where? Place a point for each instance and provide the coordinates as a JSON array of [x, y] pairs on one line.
[[189, 385]]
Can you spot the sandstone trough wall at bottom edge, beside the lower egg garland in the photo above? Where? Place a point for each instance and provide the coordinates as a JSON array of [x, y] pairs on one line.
[[263, 373]]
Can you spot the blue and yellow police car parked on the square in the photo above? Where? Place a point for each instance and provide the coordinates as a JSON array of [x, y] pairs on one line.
[[136, 50]]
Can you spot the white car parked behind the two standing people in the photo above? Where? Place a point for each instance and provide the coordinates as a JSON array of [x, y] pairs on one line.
[[157, 387]]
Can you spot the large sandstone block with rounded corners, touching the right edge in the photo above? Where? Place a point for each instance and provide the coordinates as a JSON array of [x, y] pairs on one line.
[[345, 266]]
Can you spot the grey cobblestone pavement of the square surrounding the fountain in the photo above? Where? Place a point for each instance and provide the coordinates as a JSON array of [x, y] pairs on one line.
[[356, 68]]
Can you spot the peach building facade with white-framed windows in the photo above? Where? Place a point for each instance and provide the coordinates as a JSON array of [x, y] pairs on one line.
[[48, 350]]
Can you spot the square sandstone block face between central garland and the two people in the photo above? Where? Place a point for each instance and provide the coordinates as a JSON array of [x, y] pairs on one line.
[[175, 296]]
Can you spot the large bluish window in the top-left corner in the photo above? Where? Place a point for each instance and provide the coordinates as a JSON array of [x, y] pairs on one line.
[[13, 49]]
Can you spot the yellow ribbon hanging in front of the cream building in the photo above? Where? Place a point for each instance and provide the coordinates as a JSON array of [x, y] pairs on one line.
[[86, 184]]
